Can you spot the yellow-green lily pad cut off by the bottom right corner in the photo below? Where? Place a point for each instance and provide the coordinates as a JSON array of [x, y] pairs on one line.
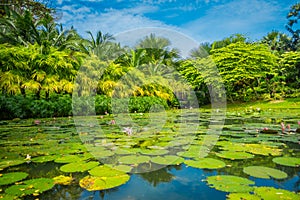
[[270, 193]]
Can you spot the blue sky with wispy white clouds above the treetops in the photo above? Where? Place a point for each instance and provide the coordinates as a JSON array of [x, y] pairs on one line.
[[202, 20]]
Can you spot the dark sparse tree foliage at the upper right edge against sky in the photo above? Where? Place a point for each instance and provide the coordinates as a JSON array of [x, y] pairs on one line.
[[293, 17]]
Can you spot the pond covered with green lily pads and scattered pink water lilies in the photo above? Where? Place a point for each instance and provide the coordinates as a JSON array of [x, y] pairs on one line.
[[163, 155]]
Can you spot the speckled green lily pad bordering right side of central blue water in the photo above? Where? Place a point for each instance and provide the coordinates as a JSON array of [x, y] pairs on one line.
[[228, 183]]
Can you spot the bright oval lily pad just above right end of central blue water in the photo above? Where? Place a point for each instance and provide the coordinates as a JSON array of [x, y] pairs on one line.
[[205, 163]]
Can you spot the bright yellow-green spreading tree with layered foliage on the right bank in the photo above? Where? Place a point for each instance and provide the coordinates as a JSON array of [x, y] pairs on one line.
[[244, 68]]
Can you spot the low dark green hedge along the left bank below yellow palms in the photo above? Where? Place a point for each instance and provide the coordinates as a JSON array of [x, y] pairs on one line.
[[61, 106]]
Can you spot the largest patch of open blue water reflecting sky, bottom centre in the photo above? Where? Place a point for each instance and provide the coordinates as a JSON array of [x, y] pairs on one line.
[[187, 183]]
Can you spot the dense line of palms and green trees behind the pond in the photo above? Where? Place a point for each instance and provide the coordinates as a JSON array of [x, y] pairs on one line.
[[40, 61]]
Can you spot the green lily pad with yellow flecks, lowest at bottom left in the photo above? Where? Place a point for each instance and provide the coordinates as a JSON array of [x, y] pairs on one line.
[[31, 187]]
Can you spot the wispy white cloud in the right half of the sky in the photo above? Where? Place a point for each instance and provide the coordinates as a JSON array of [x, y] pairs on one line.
[[244, 16]]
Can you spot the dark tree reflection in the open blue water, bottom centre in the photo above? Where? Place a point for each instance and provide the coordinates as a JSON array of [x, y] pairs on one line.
[[159, 176]]
